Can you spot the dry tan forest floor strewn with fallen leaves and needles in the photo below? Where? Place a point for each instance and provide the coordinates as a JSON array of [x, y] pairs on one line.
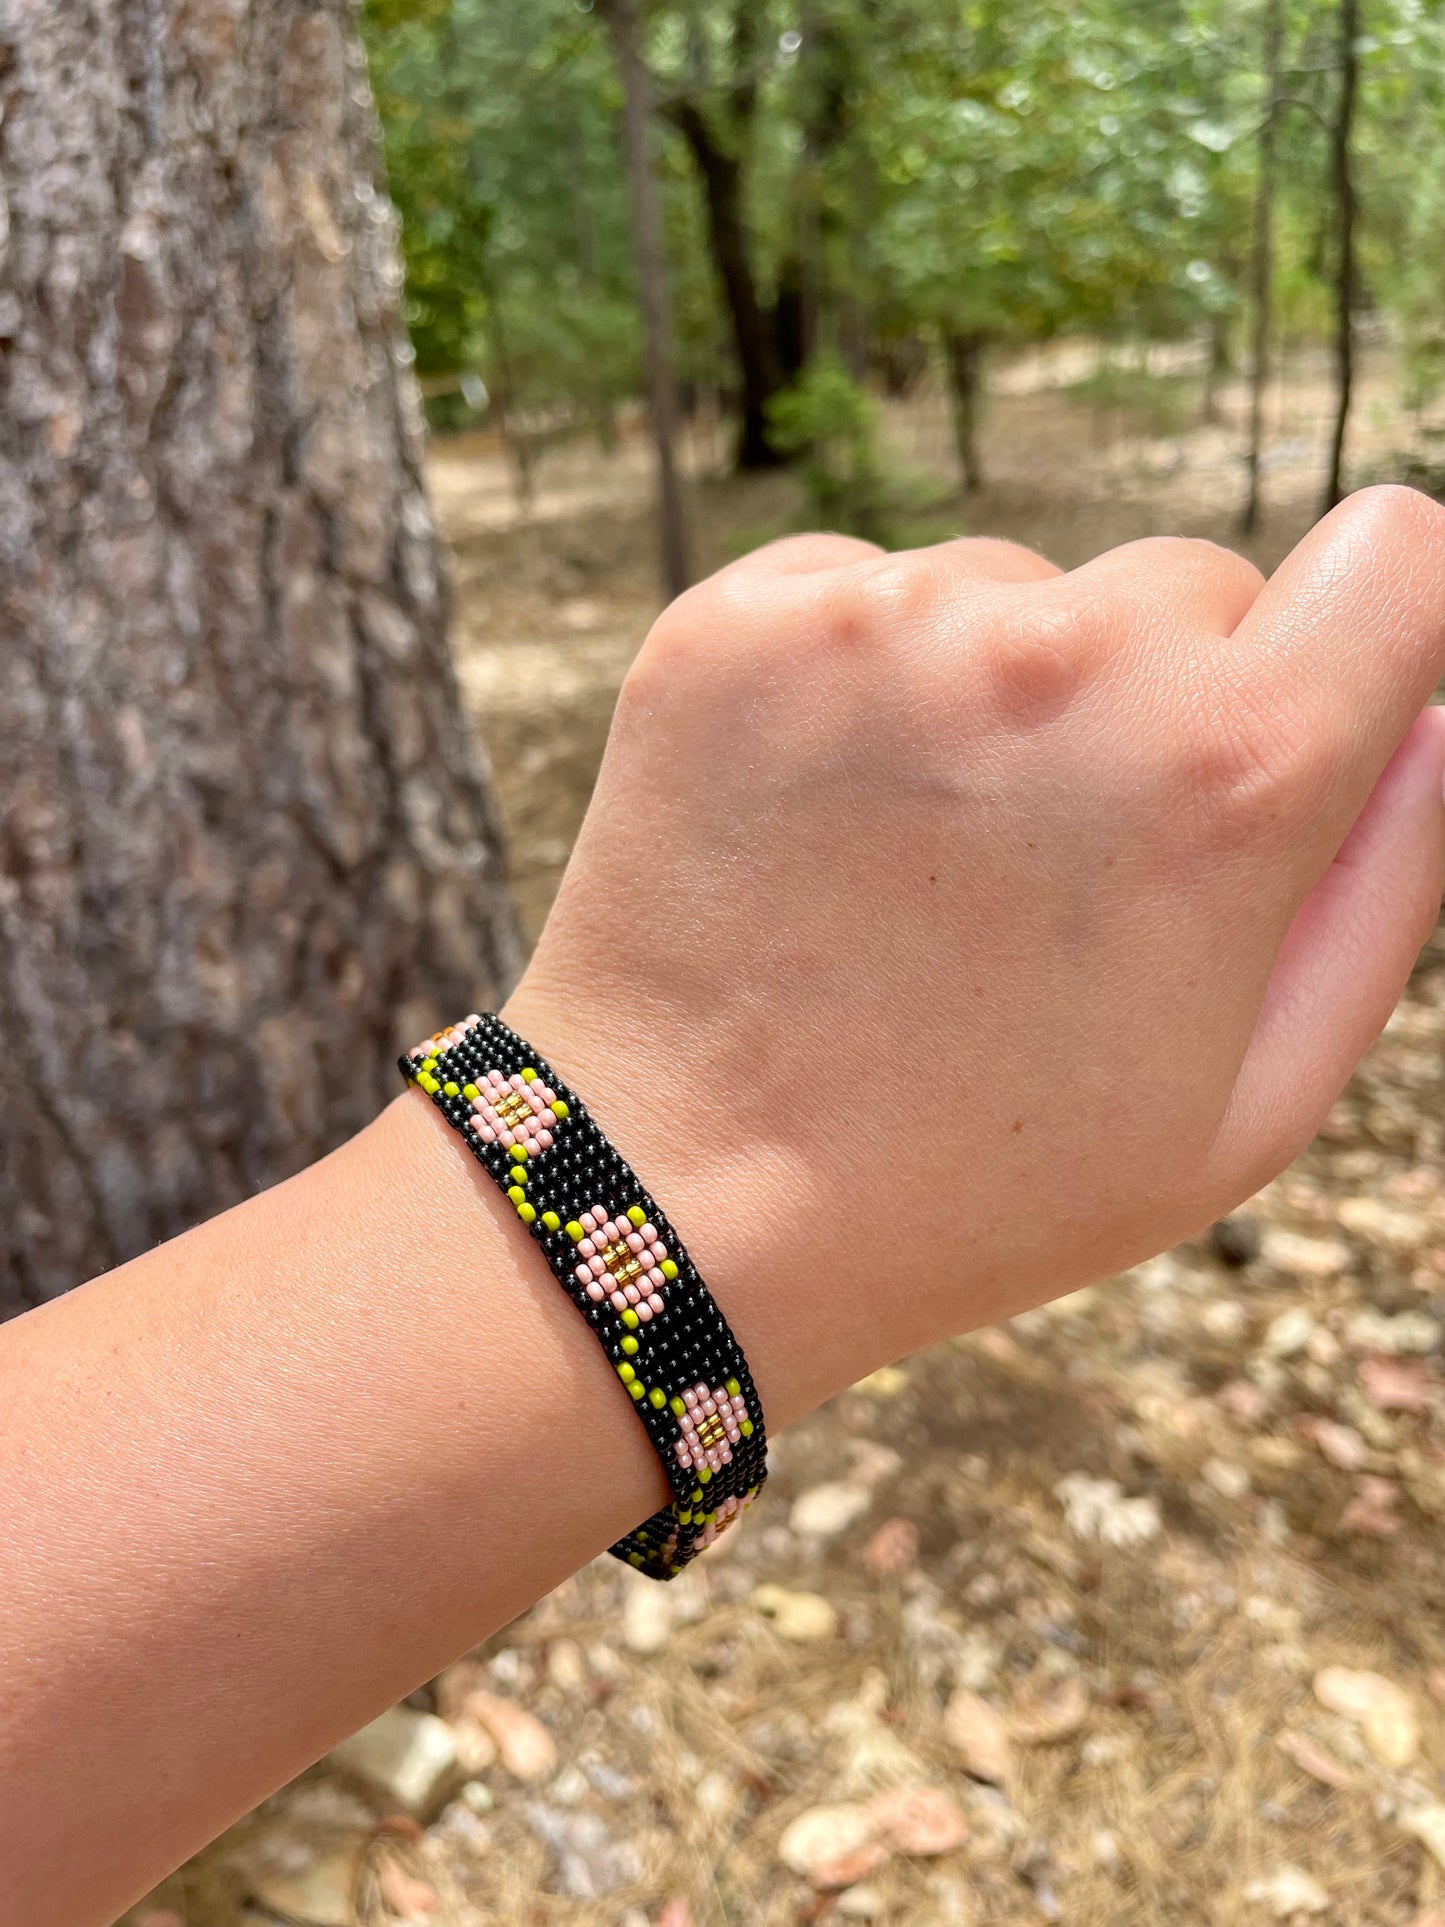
[[1130, 1612]]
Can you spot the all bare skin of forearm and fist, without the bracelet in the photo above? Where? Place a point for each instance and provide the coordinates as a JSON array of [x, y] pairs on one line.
[[1011, 922]]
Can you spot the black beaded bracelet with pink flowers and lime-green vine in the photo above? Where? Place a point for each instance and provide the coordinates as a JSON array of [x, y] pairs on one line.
[[623, 1267]]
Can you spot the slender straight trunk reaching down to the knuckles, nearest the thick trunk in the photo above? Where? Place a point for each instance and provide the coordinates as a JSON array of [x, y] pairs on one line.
[[652, 288]]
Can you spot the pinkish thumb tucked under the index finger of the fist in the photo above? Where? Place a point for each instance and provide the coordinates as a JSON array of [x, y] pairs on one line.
[[1346, 961]]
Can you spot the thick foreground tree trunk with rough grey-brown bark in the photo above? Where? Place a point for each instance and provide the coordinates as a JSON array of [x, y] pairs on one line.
[[246, 843]]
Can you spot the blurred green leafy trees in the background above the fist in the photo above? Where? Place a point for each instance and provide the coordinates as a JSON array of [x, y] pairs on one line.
[[905, 188]]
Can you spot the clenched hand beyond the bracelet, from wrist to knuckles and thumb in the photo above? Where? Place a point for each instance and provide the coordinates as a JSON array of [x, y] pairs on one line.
[[947, 930]]
